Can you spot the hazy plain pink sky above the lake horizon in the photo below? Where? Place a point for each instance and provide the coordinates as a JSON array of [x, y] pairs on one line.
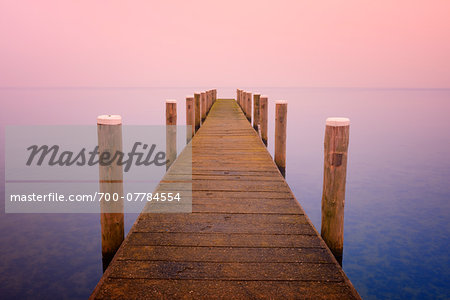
[[361, 43]]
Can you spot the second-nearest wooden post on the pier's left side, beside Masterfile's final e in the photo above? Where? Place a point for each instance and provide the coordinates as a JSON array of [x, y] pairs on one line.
[[171, 132]]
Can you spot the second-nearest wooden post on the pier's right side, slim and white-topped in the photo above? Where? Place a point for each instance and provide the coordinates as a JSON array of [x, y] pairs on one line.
[[280, 135]]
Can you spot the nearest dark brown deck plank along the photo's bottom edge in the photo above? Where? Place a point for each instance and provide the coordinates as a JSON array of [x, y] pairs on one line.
[[122, 288]]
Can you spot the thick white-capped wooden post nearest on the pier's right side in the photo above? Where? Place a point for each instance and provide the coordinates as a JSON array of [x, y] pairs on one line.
[[334, 177]]
